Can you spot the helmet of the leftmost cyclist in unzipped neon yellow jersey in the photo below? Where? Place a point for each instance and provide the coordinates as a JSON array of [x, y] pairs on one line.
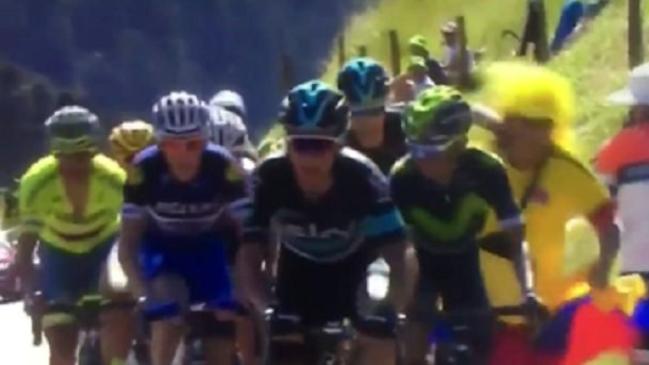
[[73, 129]]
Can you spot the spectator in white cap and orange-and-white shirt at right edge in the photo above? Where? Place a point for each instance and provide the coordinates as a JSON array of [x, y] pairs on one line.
[[623, 162]]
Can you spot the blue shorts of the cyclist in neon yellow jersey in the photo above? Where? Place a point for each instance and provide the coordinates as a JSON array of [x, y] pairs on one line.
[[66, 277]]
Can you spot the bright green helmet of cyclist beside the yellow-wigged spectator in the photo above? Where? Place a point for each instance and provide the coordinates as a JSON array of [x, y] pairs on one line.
[[435, 120]]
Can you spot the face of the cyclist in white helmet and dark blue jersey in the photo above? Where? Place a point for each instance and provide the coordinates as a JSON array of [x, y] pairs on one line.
[[183, 156]]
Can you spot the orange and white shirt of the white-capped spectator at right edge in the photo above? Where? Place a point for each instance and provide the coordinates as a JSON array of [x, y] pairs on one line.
[[624, 163]]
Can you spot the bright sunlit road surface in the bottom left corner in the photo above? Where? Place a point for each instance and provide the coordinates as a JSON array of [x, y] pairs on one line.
[[16, 338]]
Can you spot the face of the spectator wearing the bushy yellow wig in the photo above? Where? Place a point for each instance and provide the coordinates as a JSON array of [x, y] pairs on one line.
[[524, 142]]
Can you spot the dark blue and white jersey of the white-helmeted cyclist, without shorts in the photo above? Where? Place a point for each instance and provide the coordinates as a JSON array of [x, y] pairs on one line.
[[180, 208]]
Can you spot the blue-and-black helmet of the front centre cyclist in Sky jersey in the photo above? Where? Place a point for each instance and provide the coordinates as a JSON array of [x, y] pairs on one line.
[[314, 109]]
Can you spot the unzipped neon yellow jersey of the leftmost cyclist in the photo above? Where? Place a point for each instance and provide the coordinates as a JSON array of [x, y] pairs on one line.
[[45, 209]]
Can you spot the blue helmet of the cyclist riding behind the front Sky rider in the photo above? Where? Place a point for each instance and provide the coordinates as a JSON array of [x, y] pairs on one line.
[[364, 83]]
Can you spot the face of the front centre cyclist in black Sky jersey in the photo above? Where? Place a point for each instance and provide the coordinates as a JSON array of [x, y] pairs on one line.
[[312, 160]]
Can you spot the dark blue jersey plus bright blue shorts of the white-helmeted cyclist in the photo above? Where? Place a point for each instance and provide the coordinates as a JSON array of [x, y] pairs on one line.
[[181, 239]]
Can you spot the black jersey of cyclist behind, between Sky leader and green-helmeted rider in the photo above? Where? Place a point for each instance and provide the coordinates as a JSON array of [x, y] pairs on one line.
[[392, 148]]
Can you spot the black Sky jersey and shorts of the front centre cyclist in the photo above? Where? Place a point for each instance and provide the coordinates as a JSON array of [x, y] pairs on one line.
[[325, 245]]
